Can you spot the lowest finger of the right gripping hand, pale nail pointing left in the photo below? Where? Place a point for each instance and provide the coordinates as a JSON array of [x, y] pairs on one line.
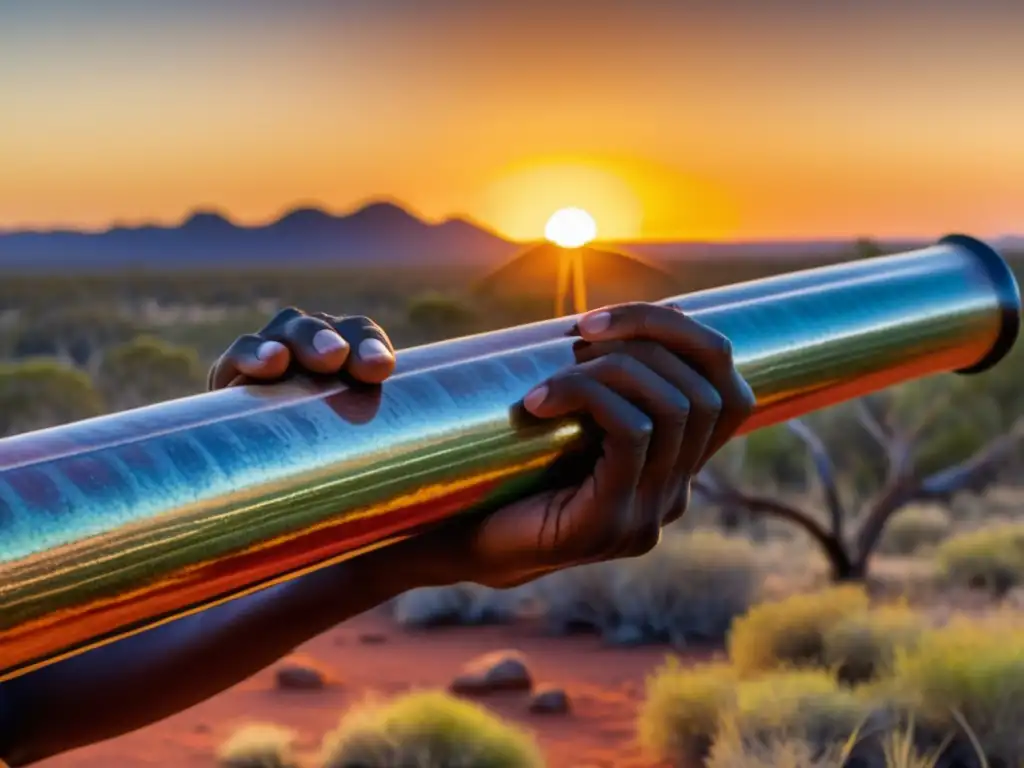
[[611, 492]]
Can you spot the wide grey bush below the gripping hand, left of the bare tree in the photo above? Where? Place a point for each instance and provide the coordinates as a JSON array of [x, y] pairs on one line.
[[689, 589]]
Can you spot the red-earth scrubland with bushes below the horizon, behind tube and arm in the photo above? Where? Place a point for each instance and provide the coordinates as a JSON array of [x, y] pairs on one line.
[[801, 614]]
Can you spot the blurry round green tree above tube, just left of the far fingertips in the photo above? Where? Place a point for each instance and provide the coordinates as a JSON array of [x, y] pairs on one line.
[[148, 370]]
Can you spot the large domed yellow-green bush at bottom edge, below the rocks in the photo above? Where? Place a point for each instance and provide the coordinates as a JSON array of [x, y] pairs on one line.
[[430, 731]]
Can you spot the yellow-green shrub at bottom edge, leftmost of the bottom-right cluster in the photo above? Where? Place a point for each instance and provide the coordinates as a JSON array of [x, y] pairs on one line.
[[682, 708]]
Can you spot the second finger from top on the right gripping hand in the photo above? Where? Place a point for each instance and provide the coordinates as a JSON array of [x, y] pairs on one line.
[[705, 402]]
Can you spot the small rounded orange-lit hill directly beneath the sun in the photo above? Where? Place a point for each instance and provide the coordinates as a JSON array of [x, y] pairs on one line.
[[611, 277]]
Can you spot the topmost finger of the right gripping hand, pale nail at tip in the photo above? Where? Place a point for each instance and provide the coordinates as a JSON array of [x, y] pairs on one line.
[[709, 352]]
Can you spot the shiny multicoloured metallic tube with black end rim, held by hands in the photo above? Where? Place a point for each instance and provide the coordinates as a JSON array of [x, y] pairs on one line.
[[115, 525]]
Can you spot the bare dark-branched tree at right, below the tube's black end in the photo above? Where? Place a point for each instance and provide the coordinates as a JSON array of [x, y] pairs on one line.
[[905, 481]]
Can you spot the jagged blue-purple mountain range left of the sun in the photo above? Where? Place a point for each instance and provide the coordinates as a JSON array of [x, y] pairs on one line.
[[380, 234]]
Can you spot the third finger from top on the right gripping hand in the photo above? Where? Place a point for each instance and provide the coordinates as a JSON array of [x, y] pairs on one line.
[[667, 407]]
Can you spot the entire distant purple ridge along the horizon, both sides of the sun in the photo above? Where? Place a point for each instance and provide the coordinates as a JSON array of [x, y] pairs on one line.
[[381, 234]]
